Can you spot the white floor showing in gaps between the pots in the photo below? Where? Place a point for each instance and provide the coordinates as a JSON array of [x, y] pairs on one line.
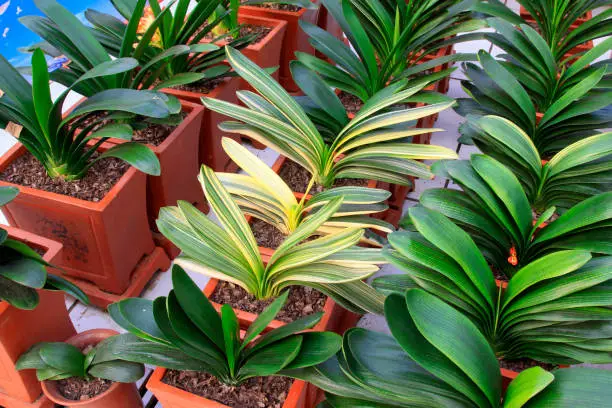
[[89, 317]]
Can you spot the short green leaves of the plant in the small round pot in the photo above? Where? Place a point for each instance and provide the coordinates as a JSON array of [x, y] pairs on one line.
[[58, 361]]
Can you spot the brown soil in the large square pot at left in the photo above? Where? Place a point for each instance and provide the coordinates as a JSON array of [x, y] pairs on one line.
[[100, 179]]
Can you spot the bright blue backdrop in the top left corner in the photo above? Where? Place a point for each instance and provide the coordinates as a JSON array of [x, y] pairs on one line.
[[14, 35]]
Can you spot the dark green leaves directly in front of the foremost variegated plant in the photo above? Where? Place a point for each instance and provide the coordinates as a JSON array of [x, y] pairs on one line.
[[183, 331]]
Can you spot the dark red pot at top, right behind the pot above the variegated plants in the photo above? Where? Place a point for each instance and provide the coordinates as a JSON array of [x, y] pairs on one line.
[[295, 38]]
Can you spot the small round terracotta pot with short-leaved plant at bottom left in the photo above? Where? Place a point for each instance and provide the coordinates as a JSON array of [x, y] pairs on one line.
[[79, 373]]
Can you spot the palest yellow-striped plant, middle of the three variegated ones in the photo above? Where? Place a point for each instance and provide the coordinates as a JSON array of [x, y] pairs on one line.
[[263, 194]]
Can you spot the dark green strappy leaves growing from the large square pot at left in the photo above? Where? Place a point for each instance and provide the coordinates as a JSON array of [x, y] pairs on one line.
[[64, 146]]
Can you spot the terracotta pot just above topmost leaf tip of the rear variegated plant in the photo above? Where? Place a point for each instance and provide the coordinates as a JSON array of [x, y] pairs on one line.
[[266, 53]]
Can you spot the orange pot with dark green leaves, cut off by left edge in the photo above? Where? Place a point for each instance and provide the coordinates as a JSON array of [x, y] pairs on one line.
[[32, 308]]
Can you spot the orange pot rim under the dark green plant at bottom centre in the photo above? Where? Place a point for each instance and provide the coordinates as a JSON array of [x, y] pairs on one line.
[[172, 397]]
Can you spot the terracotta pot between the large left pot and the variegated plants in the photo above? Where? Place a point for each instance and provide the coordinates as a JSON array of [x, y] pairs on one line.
[[179, 165]]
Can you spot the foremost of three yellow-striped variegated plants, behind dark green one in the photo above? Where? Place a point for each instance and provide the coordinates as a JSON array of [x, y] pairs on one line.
[[330, 264]]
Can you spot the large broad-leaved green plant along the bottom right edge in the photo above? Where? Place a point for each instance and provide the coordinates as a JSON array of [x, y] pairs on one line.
[[423, 364]]
